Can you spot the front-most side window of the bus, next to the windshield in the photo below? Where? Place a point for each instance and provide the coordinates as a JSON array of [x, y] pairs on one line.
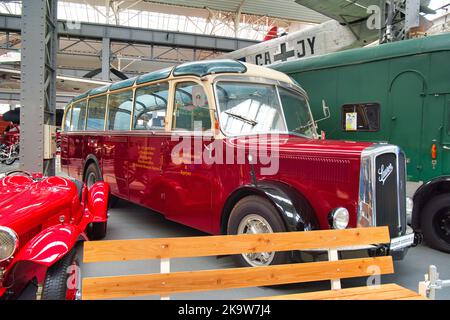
[[191, 108]]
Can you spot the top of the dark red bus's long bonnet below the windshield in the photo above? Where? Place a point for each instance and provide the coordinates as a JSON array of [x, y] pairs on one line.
[[297, 144]]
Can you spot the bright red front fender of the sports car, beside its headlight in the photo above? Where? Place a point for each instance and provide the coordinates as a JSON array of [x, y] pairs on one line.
[[50, 245]]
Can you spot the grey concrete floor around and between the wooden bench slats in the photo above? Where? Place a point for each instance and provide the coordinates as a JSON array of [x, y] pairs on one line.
[[129, 221]]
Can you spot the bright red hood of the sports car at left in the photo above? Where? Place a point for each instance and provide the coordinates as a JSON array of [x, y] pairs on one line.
[[25, 203]]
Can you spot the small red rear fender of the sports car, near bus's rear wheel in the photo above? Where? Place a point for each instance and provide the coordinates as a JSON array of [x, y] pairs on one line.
[[97, 201]]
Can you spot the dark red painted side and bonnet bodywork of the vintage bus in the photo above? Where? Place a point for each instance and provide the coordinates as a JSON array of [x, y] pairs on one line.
[[325, 172]]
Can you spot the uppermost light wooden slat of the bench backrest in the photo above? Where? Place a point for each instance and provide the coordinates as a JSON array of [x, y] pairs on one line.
[[126, 250]]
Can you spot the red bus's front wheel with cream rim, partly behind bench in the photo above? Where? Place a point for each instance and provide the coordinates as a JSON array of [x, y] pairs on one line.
[[254, 214]]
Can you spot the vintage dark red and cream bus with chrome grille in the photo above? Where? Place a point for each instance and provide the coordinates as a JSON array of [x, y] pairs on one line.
[[189, 142]]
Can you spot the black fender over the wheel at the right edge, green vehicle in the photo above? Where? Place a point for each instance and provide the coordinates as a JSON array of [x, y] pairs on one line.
[[424, 193]]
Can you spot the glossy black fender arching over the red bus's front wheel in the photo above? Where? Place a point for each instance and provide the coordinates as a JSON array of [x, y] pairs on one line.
[[293, 207]]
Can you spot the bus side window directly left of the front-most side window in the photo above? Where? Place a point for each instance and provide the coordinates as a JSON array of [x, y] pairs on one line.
[[150, 107]]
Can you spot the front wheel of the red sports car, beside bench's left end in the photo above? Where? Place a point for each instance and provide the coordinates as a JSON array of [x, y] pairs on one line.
[[62, 281]]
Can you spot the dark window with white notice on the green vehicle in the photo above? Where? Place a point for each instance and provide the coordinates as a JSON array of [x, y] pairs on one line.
[[361, 117]]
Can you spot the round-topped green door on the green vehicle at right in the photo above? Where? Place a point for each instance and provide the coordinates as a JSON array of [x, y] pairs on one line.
[[406, 100]]
